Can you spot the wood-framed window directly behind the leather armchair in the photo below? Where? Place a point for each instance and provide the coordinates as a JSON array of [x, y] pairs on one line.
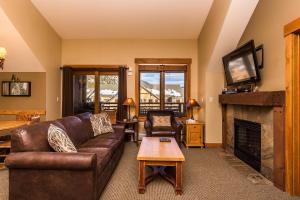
[[162, 87]]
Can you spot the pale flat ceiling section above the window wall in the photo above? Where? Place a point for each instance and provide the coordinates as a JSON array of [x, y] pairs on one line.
[[125, 19]]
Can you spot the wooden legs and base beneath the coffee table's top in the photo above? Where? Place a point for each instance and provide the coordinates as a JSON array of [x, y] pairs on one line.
[[159, 169]]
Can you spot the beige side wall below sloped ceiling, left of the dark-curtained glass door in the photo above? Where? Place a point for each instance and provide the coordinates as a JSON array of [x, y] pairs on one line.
[[43, 42]]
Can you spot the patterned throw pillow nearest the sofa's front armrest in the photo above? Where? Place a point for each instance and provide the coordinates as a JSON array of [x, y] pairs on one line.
[[59, 140]]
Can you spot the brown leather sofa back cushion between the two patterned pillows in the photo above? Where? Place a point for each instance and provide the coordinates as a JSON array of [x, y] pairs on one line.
[[75, 129]]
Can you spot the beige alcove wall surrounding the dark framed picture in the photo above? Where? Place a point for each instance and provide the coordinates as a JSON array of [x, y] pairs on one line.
[[37, 100]]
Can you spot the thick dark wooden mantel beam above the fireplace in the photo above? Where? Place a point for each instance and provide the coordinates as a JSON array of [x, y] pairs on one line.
[[274, 98]]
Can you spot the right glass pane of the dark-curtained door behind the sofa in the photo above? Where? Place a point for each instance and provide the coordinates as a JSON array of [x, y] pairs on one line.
[[109, 85]]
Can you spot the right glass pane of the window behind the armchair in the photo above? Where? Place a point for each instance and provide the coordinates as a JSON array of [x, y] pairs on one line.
[[174, 92]]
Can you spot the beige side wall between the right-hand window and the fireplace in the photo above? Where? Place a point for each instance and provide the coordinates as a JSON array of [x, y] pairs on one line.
[[211, 78]]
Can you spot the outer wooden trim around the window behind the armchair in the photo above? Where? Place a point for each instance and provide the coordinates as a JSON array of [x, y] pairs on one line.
[[154, 64]]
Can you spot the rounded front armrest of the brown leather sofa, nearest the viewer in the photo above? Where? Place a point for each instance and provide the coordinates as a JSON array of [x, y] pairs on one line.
[[51, 160]]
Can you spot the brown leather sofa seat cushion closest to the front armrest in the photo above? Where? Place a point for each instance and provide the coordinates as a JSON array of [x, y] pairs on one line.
[[103, 156]]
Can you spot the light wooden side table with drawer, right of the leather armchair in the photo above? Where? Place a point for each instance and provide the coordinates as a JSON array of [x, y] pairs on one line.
[[193, 134]]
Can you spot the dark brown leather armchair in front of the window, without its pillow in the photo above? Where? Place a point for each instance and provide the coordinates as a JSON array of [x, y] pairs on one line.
[[163, 131]]
